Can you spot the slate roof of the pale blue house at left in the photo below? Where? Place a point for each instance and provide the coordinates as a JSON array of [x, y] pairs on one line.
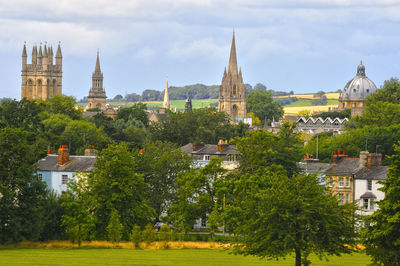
[[75, 163]]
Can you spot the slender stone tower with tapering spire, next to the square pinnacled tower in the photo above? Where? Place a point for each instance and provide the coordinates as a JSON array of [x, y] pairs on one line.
[[97, 94]]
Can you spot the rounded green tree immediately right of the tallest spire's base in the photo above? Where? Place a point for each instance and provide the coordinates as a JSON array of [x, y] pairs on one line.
[[261, 103]]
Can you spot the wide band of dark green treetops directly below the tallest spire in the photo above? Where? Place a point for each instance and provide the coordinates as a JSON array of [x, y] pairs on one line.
[[200, 125]]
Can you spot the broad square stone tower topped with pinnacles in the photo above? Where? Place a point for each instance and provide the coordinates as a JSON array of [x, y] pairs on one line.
[[42, 79]]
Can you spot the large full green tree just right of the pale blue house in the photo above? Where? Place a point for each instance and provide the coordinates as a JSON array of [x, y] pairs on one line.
[[115, 185]]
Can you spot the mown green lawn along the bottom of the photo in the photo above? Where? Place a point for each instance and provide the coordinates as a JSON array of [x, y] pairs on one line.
[[67, 256]]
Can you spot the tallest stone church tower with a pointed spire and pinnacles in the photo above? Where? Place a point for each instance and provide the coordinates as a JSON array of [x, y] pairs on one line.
[[232, 92]]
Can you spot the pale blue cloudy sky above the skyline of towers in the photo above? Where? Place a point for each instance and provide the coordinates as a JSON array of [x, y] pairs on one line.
[[299, 45]]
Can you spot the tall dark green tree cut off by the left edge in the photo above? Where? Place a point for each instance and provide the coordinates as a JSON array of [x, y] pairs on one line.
[[22, 192]]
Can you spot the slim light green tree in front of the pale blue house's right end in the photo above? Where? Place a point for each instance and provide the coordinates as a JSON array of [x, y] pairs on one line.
[[78, 206]]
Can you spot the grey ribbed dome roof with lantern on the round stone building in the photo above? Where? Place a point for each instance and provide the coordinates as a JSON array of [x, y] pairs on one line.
[[360, 86]]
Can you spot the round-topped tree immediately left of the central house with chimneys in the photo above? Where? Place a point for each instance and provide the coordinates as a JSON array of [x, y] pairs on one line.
[[160, 163]]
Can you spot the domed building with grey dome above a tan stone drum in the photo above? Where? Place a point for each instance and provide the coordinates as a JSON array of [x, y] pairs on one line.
[[356, 90]]
